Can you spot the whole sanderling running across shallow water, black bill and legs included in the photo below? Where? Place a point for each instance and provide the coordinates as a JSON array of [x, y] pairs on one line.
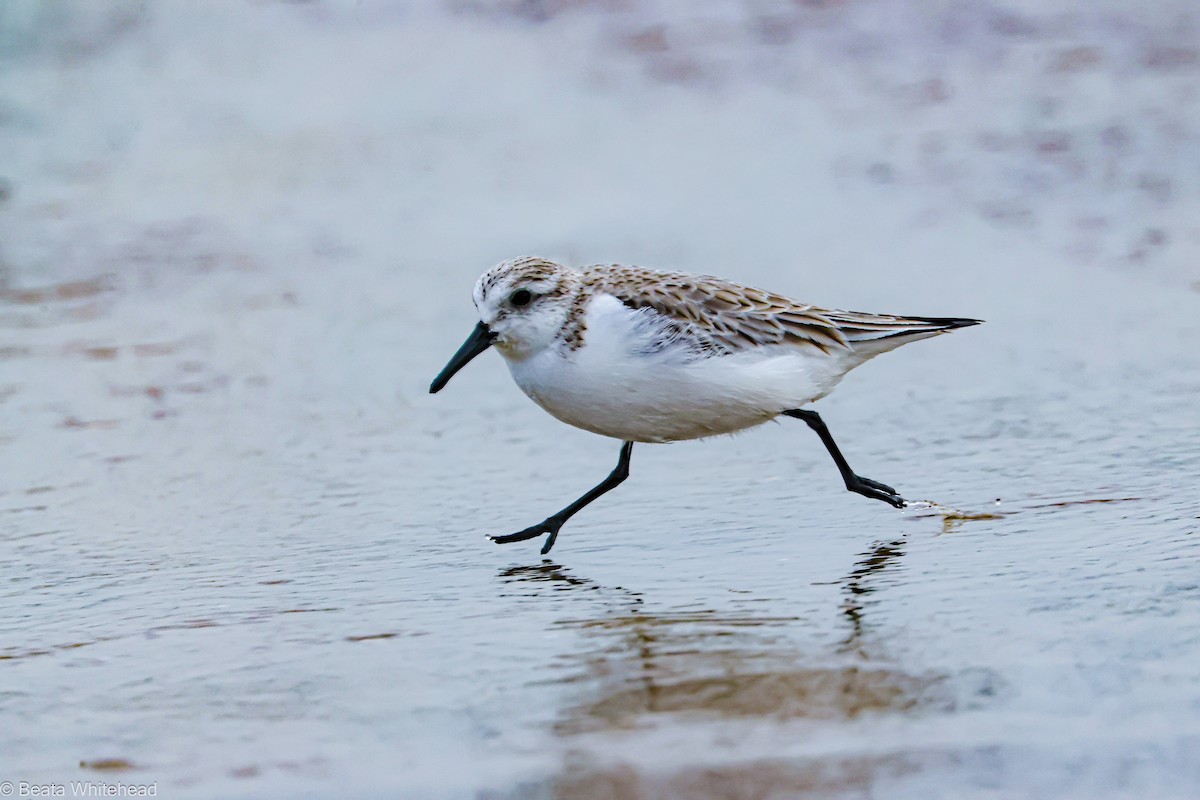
[[641, 356]]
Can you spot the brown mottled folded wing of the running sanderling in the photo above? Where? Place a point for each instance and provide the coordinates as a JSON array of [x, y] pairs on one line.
[[721, 316]]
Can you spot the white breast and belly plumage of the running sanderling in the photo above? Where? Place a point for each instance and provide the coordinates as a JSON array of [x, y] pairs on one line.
[[621, 384]]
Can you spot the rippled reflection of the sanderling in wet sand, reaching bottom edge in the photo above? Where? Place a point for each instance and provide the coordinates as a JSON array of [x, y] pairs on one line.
[[643, 667]]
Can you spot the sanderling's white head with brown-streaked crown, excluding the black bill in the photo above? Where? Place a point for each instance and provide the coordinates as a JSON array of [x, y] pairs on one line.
[[525, 303]]
